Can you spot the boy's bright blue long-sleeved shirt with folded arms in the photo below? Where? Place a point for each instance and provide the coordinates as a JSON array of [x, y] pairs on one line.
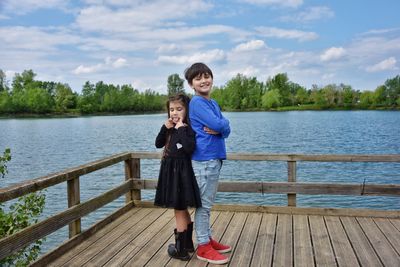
[[204, 112]]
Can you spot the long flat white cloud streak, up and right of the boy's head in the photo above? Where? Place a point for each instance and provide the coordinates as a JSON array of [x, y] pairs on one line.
[[286, 34]]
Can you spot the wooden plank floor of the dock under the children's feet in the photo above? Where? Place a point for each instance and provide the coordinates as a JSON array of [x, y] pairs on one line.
[[141, 236]]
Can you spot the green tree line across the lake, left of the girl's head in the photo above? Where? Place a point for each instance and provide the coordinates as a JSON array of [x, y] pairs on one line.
[[27, 95]]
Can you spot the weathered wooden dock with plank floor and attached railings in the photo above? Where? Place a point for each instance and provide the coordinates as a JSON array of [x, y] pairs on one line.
[[138, 234]]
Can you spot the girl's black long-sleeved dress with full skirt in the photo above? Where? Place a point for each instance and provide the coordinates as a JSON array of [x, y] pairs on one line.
[[177, 186]]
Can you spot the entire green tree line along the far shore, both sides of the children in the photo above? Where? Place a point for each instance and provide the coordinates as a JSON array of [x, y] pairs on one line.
[[241, 93]]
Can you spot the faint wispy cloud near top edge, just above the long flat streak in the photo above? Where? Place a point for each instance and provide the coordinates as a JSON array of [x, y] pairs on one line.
[[310, 14]]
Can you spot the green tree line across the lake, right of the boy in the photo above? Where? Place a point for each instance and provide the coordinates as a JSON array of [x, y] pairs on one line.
[[278, 92]]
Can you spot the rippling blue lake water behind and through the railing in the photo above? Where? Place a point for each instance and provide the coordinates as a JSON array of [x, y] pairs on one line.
[[43, 146]]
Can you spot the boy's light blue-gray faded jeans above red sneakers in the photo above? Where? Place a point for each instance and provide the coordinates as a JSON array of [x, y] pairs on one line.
[[207, 174]]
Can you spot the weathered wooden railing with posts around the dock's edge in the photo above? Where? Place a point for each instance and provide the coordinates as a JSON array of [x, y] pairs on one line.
[[134, 184]]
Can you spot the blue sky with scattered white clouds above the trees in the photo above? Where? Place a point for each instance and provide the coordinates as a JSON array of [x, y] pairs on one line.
[[141, 43]]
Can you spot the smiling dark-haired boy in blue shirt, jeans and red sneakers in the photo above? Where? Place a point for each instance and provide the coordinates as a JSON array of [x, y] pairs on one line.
[[211, 129]]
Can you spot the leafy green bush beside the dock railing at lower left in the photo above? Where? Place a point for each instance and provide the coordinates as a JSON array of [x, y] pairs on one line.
[[18, 216]]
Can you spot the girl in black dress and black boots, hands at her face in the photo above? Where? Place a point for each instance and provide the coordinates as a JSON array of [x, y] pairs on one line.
[[177, 187]]
